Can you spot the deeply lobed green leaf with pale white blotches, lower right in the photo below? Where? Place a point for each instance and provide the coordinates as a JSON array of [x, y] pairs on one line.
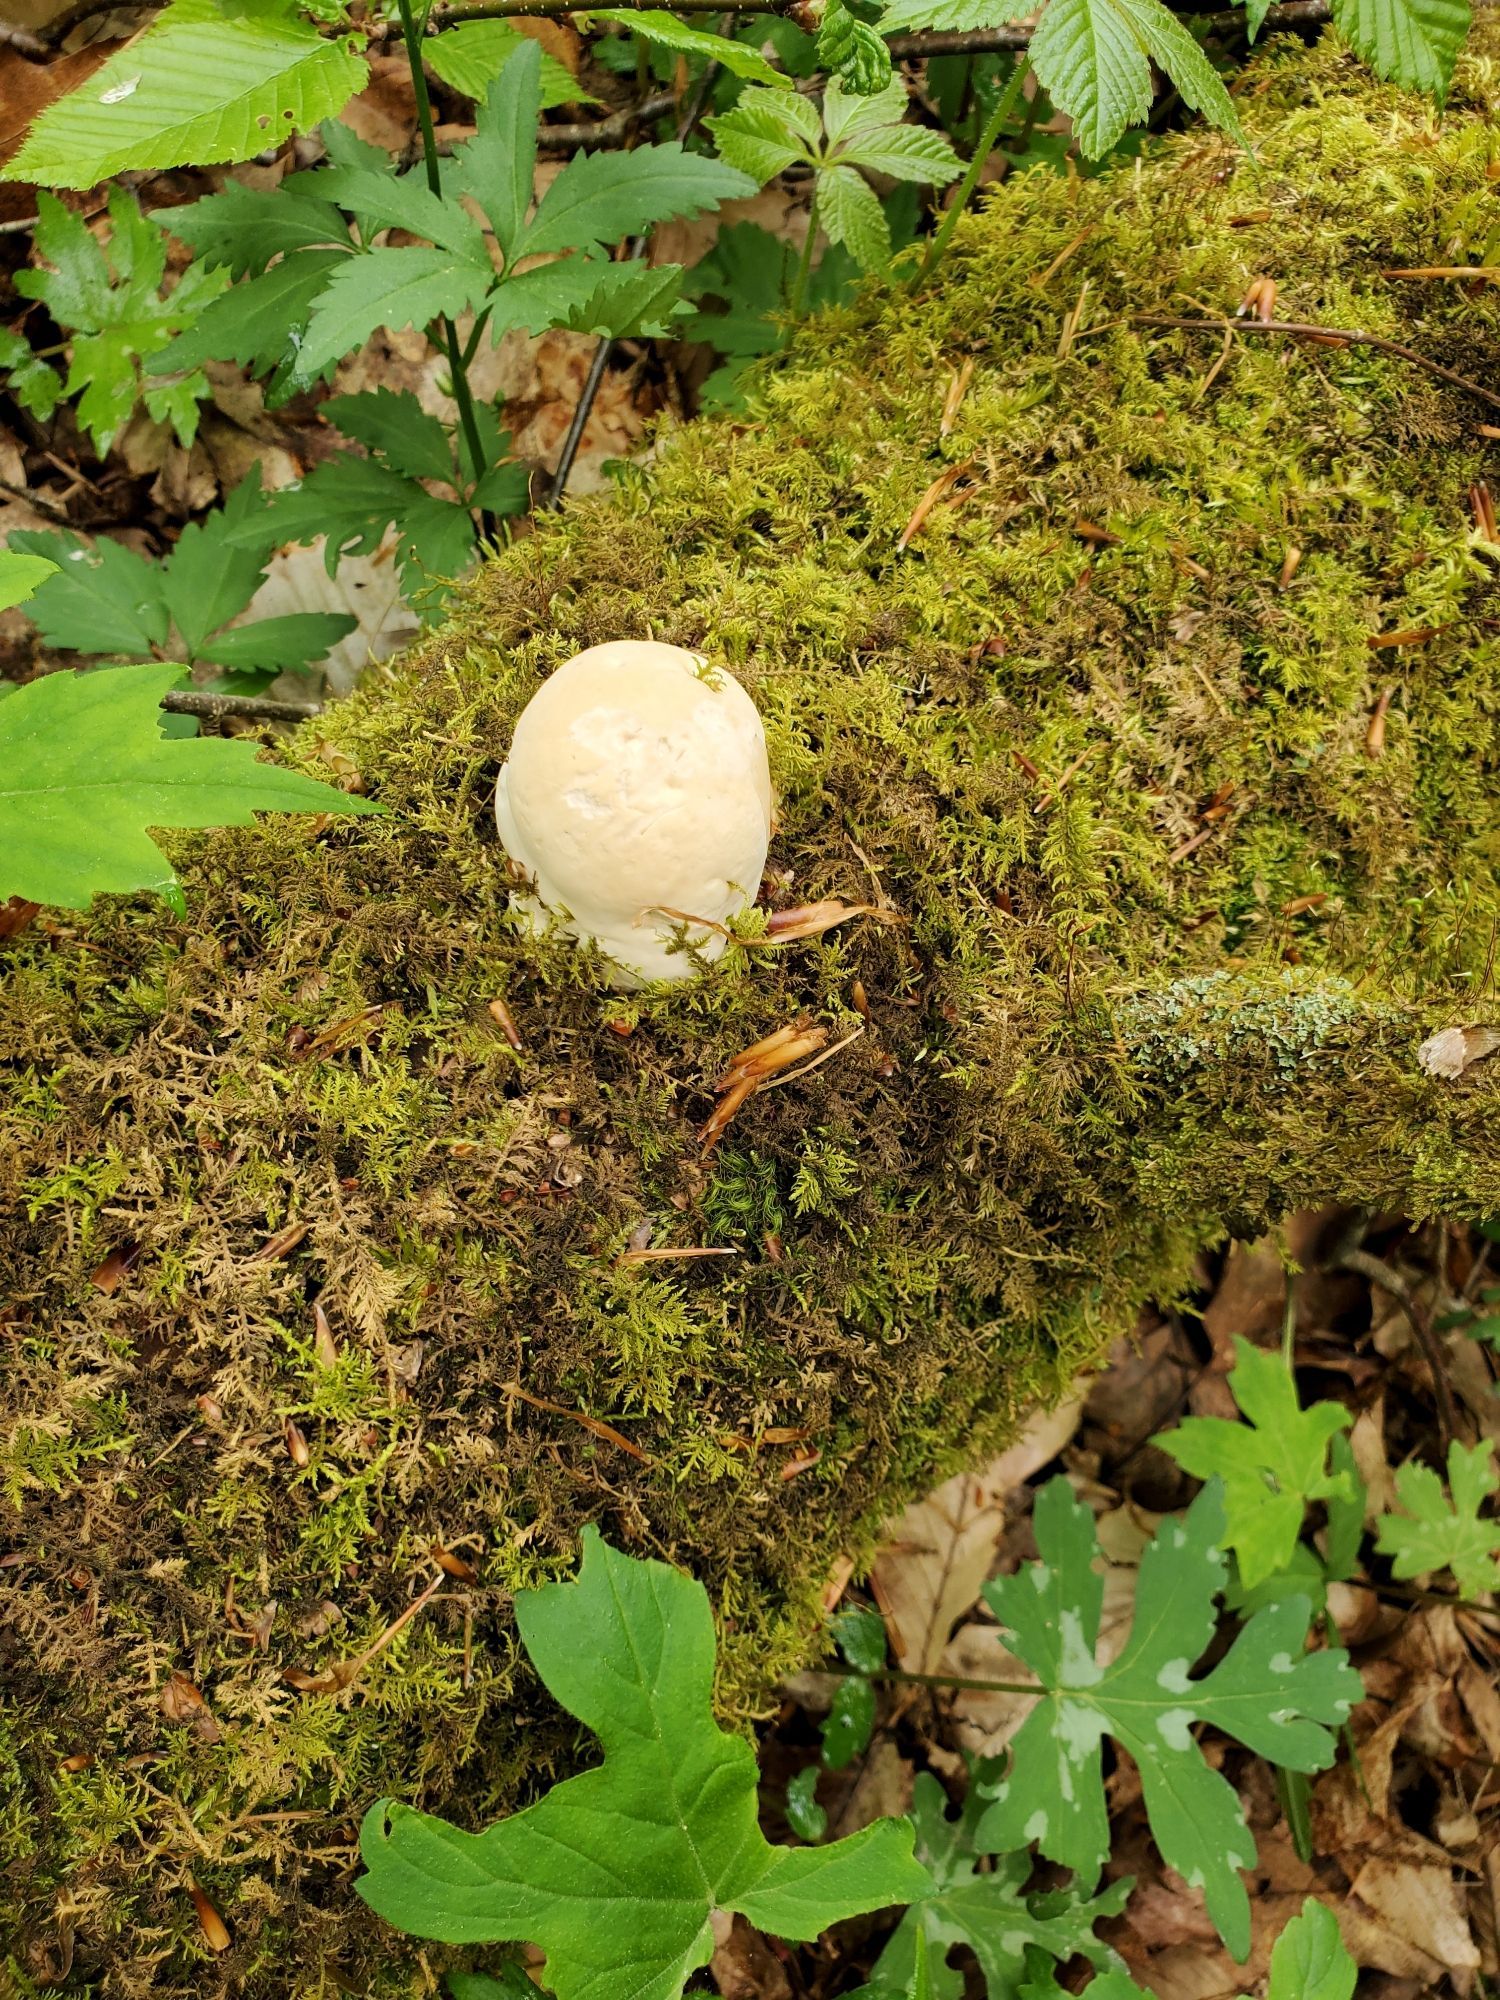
[[1265, 1693]]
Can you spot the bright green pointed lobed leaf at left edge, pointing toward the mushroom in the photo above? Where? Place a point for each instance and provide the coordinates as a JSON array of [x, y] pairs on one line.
[[85, 771]]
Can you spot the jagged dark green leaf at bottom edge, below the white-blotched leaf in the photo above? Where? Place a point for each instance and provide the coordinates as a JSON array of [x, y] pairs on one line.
[[987, 1911]]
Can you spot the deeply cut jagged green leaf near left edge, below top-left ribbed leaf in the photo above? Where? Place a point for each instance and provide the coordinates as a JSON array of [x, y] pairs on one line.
[[113, 309]]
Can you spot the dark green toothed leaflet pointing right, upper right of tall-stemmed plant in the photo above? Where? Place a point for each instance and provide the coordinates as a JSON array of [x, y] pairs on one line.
[[603, 197]]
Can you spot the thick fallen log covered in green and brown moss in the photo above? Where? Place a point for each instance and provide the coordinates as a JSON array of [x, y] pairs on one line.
[[1163, 923]]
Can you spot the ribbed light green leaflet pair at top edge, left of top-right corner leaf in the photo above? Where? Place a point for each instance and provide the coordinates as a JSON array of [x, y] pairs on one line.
[[1095, 61]]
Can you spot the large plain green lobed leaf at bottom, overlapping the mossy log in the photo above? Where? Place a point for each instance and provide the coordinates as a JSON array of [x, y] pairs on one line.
[[617, 1873]]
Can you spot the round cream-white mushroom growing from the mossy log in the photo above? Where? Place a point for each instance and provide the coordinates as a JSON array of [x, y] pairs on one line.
[[639, 783]]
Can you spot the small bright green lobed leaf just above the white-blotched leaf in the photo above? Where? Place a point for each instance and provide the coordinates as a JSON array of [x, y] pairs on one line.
[[1273, 1465]]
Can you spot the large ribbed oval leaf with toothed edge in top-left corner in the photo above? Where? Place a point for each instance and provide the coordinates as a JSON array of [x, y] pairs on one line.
[[209, 81]]
